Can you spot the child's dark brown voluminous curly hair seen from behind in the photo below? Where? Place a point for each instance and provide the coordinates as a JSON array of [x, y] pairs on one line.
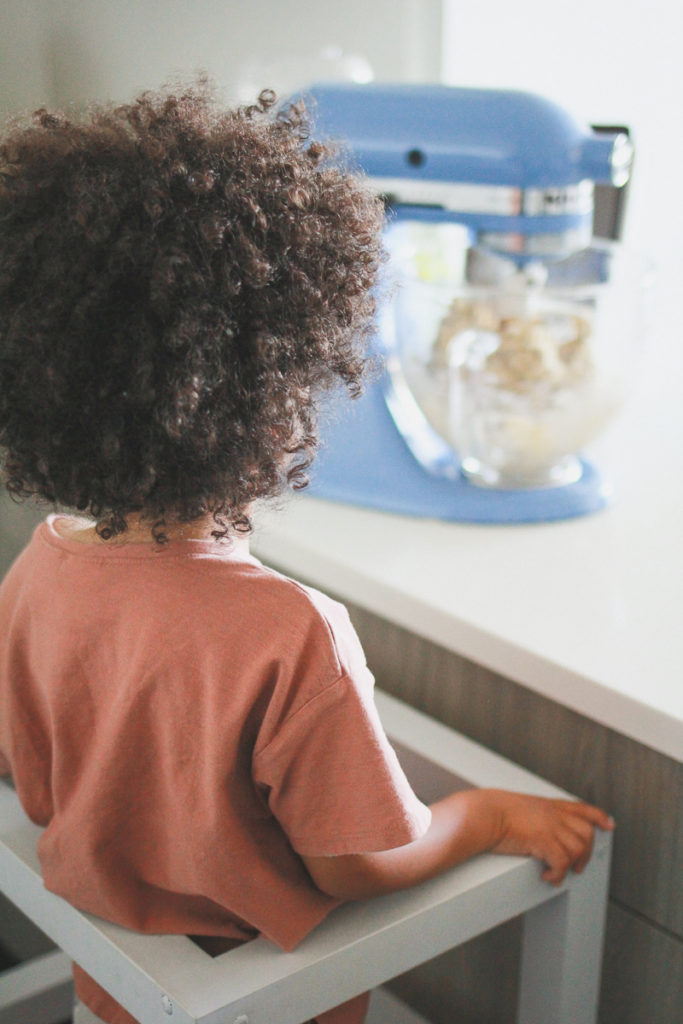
[[179, 286]]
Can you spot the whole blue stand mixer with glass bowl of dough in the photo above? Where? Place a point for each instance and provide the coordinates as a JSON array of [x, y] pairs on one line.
[[506, 335]]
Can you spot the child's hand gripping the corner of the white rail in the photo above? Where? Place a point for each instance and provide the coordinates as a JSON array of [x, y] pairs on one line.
[[560, 833]]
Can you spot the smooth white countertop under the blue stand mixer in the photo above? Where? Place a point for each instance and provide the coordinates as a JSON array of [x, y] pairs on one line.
[[587, 612]]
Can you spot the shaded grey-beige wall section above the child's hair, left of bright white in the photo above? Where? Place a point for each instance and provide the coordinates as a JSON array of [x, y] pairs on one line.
[[63, 52]]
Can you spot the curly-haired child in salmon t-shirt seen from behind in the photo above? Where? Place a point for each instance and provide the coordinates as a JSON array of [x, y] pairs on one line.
[[179, 288]]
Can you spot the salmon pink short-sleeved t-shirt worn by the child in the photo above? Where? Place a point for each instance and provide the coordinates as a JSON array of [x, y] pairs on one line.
[[185, 723]]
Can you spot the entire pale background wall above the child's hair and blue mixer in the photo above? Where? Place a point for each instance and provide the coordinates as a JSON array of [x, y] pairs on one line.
[[609, 60]]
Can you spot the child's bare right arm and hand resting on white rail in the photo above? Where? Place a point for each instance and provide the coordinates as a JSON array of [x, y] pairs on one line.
[[557, 832]]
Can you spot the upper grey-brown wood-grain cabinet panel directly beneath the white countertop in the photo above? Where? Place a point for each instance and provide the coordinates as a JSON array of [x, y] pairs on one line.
[[642, 789]]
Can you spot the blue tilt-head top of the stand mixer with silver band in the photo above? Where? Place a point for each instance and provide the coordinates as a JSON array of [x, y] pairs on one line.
[[516, 168]]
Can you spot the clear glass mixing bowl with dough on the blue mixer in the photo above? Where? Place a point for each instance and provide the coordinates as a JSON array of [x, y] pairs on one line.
[[518, 368]]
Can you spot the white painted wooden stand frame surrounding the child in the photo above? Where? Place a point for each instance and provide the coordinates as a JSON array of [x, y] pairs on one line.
[[168, 980]]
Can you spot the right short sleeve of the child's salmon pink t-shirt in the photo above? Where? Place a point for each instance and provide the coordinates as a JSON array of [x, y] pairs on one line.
[[334, 782]]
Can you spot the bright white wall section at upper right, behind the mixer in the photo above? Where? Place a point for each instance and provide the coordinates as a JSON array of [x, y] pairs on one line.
[[611, 62]]
